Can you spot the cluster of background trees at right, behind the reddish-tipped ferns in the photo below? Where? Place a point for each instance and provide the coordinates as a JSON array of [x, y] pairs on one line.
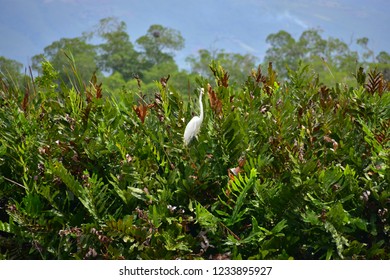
[[332, 59]]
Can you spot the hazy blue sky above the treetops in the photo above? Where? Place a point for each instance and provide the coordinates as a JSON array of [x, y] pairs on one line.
[[240, 26]]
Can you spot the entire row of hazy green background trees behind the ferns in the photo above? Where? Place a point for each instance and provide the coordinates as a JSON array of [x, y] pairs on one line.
[[118, 58]]
